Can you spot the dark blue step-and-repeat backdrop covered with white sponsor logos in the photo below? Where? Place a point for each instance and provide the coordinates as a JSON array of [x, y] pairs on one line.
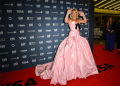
[[31, 30]]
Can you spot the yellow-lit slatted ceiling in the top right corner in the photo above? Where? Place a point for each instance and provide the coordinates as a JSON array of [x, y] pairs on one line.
[[107, 4]]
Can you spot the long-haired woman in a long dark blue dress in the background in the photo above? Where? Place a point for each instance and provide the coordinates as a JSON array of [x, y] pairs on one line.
[[110, 36]]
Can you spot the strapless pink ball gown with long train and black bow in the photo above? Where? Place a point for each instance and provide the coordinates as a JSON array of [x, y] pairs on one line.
[[73, 59]]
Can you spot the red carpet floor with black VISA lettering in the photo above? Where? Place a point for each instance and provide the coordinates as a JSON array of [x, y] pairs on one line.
[[108, 65]]
